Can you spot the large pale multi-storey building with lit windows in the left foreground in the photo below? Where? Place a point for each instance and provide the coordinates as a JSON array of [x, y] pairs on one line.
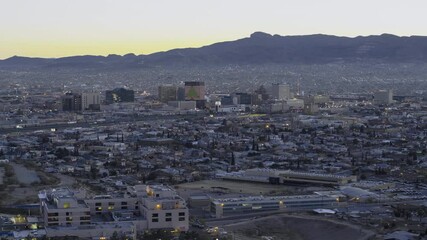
[[140, 208]]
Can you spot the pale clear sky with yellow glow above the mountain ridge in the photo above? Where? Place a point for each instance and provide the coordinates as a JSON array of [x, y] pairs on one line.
[[57, 28]]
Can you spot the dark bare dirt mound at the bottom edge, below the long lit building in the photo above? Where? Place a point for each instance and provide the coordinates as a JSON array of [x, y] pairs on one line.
[[286, 227]]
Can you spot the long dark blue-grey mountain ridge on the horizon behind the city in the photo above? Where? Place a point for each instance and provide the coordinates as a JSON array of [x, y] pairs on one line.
[[259, 48]]
